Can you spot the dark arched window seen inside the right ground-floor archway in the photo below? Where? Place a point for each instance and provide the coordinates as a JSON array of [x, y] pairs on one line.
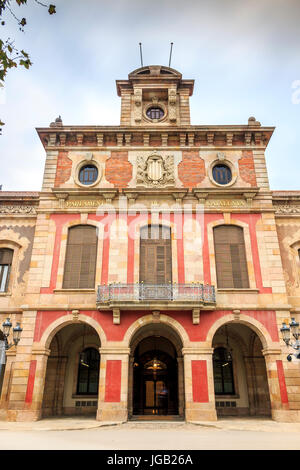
[[223, 372]]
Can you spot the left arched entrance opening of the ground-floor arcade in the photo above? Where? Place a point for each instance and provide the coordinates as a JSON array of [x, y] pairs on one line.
[[72, 375]]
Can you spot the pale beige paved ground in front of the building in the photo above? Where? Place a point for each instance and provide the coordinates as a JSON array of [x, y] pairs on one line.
[[79, 433]]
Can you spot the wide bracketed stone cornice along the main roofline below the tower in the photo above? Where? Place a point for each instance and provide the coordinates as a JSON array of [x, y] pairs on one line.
[[227, 137]]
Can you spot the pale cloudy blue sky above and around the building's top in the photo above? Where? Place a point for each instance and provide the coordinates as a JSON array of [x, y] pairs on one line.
[[244, 56]]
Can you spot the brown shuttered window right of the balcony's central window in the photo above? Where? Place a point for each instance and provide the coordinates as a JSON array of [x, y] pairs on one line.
[[230, 255]]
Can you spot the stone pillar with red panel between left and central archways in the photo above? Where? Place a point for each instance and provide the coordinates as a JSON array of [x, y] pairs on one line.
[[113, 384]]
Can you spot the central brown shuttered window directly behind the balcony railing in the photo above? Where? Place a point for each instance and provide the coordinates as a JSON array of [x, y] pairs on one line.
[[155, 255]]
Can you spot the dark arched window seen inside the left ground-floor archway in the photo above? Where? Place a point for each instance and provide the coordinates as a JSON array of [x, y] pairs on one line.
[[88, 373]]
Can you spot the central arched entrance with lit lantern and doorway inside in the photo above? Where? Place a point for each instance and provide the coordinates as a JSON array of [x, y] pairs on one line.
[[156, 375]]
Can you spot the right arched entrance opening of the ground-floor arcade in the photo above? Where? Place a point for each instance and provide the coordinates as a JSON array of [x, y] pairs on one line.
[[240, 376]]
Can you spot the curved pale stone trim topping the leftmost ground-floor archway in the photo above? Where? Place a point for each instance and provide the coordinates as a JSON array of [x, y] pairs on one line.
[[65, 320]]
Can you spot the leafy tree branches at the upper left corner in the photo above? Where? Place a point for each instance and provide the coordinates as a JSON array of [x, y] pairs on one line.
[[10, 55]]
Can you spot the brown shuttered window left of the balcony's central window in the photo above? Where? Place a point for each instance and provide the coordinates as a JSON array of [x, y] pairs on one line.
[[80, 264]]
